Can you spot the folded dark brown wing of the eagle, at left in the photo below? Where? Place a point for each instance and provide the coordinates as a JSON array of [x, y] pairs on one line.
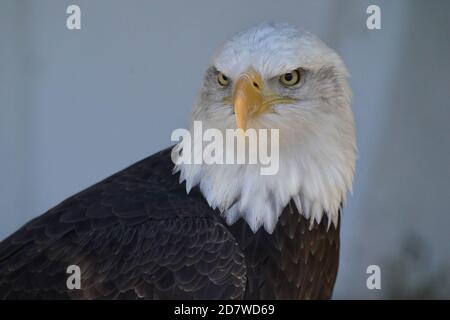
[[133, 235]]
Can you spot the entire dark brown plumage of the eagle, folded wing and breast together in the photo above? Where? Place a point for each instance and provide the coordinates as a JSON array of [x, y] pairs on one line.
[[137, 234]]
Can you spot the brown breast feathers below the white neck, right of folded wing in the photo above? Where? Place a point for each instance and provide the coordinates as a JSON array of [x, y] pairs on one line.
[[293, 262]]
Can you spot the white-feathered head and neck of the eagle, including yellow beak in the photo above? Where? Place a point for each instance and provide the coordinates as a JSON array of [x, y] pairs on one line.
[[274, 76]]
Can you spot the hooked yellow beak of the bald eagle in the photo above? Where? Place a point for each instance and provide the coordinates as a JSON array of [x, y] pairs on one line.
[[247, 98]]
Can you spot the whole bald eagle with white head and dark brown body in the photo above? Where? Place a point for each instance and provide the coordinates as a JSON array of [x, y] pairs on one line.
[[159, 230]]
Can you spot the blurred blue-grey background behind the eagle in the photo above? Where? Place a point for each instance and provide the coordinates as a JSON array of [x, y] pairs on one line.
[[79, 105]]
